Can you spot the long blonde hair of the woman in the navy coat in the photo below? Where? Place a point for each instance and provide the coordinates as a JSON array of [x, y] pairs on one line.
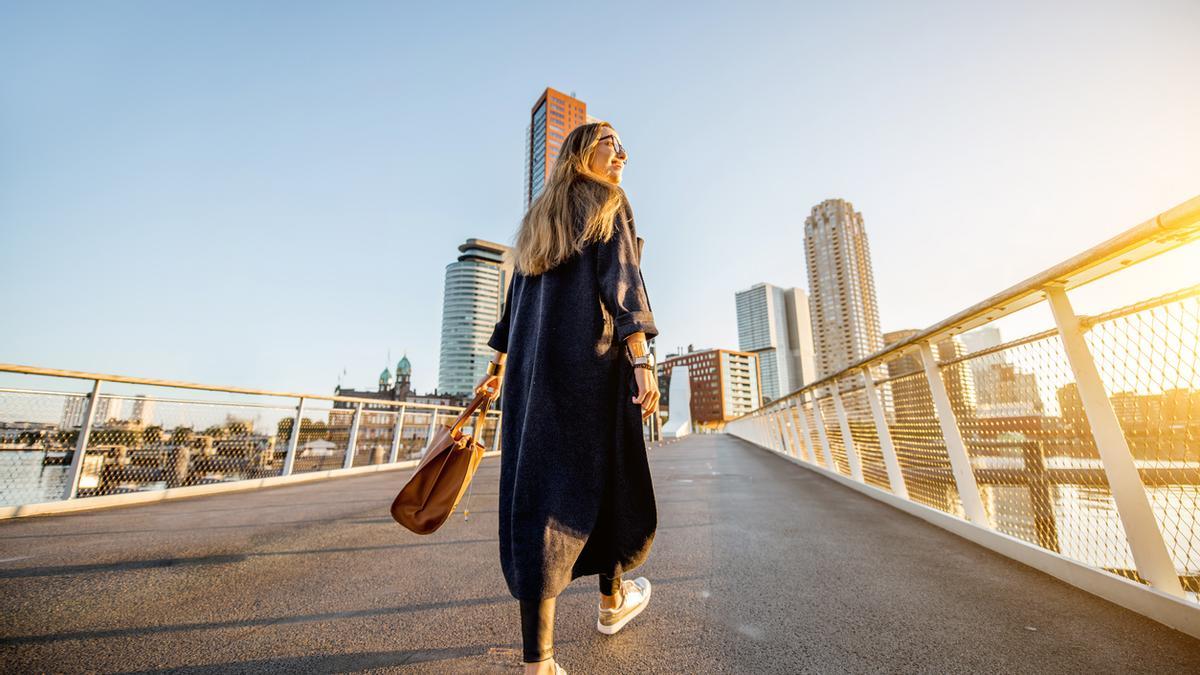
[[549, 235]]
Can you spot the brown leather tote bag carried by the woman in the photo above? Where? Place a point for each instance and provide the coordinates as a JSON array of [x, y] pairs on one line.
[[443, 475]]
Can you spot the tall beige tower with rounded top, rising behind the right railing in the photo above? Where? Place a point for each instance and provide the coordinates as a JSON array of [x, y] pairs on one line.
[[845, 314]]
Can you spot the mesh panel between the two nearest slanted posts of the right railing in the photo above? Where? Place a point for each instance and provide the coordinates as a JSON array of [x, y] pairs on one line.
[[1033, 452]]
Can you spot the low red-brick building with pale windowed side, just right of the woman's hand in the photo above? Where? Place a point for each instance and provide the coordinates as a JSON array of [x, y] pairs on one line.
[[723, 385]]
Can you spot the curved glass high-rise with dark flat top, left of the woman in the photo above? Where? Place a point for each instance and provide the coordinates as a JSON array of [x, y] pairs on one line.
[[473, 302]]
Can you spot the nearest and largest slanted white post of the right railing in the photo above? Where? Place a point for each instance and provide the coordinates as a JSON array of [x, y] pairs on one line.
[[1150, 553]]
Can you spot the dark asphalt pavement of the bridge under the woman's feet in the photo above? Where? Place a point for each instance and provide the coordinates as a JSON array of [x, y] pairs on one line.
[[759, 566]]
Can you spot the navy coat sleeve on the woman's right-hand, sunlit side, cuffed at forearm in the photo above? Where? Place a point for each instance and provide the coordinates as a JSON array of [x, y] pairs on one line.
[[622, 288]]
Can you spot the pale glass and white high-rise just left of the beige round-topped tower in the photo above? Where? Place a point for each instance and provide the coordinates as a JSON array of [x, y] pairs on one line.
[[773, 324]]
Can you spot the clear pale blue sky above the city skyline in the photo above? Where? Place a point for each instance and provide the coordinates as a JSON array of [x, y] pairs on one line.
[[263, 194]]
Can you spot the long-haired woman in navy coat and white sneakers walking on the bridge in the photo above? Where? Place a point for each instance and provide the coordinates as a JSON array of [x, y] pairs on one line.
[[575, 494]]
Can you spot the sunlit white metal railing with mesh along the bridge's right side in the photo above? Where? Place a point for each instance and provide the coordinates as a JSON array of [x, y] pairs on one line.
[[1082, 441]]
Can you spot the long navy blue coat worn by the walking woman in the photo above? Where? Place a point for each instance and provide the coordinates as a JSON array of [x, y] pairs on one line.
[[575, 495]]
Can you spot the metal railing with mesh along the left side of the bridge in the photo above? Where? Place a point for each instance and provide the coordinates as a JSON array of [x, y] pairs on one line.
[[62, 445]]
